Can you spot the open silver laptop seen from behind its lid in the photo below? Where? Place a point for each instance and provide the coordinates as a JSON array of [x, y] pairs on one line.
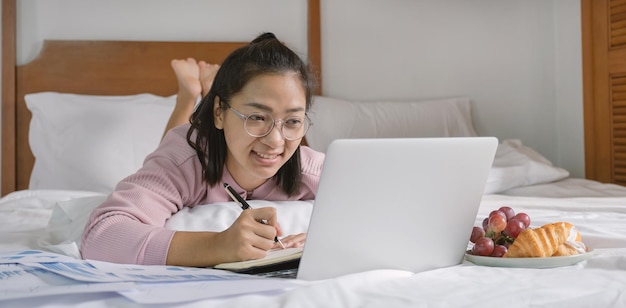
[[395, 203]]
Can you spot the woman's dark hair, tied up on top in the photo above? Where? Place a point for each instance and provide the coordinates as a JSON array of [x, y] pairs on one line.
[[264, 55]]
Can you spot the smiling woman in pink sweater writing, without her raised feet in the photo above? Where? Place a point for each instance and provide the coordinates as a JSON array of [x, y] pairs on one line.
[[245, 132]]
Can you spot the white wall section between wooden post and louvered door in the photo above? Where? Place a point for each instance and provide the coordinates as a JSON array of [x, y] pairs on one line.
[[519, 61]]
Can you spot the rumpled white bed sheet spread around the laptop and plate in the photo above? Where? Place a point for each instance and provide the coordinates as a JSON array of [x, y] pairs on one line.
[[597, 282]]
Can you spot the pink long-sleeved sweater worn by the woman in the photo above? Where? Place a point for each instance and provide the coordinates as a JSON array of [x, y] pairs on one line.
[[129, 226]]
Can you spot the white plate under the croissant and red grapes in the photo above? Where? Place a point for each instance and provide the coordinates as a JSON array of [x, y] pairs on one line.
[[528, 262]]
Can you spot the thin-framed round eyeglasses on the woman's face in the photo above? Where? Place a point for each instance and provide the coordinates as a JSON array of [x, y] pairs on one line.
[[260, 124]]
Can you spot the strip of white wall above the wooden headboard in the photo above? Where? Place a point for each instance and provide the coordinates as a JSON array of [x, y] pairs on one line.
[[181, 20]]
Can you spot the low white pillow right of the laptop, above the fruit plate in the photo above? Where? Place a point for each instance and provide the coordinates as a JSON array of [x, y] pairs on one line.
[[516, 165]]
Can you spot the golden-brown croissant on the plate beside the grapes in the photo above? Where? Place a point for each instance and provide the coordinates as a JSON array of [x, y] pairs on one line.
[[553, 239]]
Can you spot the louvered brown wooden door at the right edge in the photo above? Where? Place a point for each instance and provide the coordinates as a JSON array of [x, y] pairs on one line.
[[604, 85]]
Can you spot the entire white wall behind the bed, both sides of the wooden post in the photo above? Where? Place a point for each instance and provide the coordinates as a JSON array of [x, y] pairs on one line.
[[518, 60]]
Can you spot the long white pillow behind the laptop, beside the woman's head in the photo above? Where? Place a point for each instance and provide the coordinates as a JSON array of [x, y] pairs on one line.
[[335, 118]]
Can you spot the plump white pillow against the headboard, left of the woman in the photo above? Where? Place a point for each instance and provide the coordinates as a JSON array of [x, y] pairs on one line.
[[86, 142]]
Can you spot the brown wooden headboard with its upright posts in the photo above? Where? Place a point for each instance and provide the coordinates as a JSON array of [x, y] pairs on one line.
[[96, 68]]
